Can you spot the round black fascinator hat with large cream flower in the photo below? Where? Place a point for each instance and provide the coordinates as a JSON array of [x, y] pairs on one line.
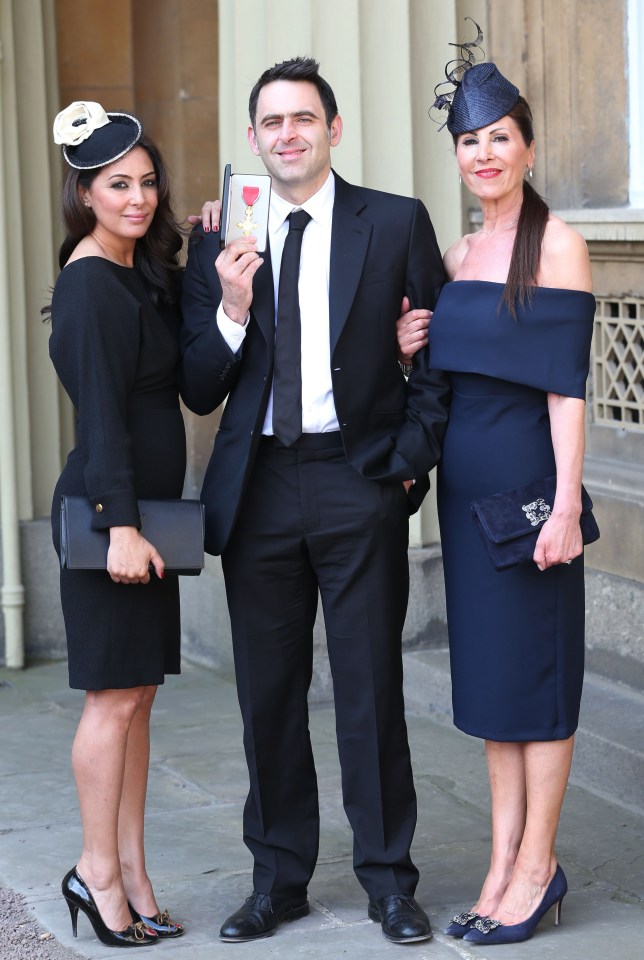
[[91, 137]]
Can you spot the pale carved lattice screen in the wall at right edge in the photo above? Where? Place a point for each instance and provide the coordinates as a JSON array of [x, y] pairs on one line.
[[618, 363]]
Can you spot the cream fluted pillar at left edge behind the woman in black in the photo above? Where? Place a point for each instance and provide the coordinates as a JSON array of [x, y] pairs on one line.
[[30, 414]]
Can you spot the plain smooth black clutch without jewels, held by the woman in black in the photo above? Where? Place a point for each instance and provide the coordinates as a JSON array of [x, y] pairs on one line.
[[174, 527]]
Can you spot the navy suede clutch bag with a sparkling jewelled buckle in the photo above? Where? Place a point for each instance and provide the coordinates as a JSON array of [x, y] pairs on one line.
[[510, 522]]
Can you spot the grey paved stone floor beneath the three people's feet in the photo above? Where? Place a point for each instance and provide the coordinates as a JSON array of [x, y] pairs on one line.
[[202, 870]]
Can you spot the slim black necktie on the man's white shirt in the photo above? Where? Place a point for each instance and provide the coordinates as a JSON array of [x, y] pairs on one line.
[[287, 377]]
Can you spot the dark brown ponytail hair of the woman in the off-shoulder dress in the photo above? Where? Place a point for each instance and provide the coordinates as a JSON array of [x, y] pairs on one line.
[[526, 252]]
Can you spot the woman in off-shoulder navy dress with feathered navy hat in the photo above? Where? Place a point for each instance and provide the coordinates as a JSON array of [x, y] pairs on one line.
[[513, 328]]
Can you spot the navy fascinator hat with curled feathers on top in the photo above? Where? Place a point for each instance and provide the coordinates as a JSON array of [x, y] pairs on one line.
[[481, 93]]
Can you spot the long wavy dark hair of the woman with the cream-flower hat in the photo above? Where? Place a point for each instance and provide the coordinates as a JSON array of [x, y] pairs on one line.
[[156, 254]]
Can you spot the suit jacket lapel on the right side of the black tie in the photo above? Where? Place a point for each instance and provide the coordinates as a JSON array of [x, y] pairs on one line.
[[349, 242]]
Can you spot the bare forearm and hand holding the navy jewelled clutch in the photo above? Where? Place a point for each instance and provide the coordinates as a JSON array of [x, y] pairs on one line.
[[560, 539]]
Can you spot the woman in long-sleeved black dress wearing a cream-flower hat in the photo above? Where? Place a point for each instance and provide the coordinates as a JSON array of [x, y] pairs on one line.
[[114, 344]]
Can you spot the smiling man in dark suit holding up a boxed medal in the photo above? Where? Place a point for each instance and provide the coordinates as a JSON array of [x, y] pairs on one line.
[[325, 508]]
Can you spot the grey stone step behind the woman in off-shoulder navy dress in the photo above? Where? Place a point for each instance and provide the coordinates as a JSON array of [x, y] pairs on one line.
[[609, 746]]
